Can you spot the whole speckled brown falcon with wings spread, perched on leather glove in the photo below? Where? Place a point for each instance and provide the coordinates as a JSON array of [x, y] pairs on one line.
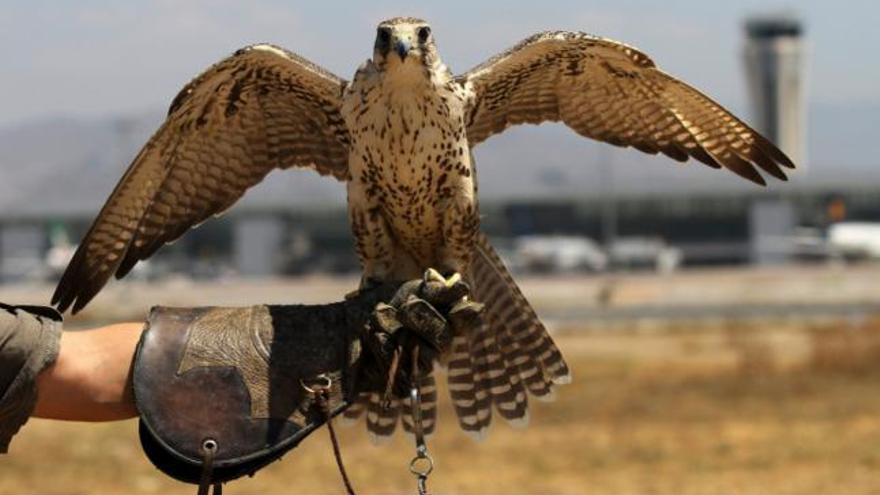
[[400, 135]]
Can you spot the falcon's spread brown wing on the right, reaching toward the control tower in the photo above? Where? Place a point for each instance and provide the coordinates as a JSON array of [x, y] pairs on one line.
[[612, 92]]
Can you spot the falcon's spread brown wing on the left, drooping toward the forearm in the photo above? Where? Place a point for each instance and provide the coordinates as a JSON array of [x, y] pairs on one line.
[[261, 108]]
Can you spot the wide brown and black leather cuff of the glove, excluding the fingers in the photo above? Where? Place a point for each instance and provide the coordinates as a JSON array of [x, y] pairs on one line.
[[236, 378]]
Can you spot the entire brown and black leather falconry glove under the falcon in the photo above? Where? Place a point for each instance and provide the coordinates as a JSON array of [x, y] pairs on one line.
[[245, 381]]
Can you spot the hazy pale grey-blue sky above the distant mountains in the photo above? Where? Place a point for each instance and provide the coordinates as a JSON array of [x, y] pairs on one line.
[[97, 57]]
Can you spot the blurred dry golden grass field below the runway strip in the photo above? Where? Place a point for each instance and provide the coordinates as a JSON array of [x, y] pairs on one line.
[[775, 408]]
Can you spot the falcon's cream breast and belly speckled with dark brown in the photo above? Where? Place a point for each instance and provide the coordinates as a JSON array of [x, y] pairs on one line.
[[410, 164]]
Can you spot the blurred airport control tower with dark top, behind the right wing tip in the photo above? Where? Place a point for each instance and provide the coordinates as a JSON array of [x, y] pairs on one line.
[[774, 69]]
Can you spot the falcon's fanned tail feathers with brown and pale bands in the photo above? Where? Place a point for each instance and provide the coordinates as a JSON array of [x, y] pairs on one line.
[[510, 357]]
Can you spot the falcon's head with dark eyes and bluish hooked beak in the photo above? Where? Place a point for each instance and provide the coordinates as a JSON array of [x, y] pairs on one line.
[[404, 43]]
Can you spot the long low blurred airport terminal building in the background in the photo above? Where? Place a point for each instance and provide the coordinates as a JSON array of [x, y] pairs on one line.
[[706, 227]]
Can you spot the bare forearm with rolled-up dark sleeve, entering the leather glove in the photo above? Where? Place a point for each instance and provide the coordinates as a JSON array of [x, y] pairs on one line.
[[47, 373]]
